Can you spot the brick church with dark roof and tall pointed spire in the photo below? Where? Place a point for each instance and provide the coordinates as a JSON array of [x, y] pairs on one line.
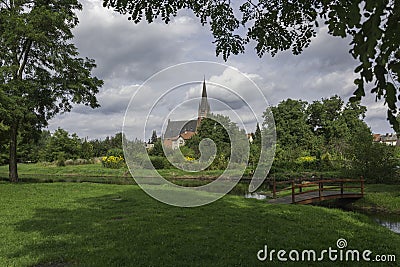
[[178, 132]]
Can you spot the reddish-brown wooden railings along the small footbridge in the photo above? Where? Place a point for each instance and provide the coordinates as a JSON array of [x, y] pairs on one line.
[[304, 186]]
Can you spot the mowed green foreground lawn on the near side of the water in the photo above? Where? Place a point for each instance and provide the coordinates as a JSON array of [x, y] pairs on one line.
[[84, 224]]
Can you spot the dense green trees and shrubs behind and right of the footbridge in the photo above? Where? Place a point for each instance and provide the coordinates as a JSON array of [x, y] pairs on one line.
[[330, 135]]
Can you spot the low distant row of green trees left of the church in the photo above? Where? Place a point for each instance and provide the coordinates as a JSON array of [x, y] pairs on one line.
[[42, 146]]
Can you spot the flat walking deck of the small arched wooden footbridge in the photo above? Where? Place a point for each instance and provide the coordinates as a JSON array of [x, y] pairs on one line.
[[311, 197]]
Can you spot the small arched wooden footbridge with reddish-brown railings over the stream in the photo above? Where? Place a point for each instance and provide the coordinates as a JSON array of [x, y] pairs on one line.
[[306, 192]]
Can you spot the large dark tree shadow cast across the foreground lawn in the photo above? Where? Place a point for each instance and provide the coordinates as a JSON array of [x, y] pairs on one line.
[[131, 229]]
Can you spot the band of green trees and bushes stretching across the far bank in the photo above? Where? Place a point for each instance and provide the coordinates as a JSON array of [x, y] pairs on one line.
[[328, 135]]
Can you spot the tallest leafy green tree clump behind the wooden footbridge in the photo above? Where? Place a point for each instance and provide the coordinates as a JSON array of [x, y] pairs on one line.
[[324, 129]]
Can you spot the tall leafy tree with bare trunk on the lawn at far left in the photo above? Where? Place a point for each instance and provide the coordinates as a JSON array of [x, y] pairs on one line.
[[41, 73]]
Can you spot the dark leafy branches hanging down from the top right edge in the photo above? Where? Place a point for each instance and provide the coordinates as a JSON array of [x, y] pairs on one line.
[[276, 25]]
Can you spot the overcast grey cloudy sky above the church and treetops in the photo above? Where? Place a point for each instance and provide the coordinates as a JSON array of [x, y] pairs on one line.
[[128, 54]]
